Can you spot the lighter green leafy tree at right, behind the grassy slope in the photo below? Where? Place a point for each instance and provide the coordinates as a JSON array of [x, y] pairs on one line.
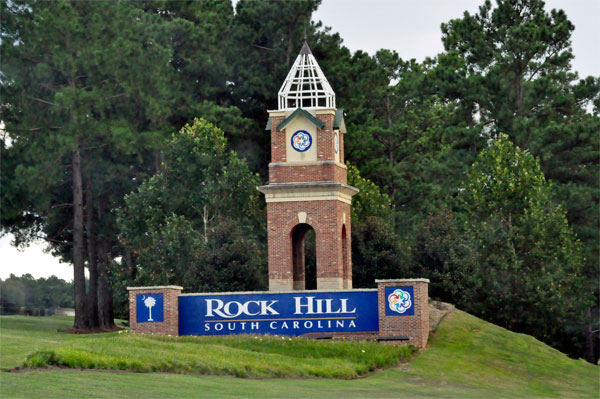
[[529, 261]]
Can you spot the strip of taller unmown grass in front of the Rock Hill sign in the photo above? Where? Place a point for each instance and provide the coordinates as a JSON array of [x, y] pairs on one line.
[[239, 356]]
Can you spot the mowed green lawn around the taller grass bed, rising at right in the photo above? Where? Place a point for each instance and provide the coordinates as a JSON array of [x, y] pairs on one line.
[[466, 358]]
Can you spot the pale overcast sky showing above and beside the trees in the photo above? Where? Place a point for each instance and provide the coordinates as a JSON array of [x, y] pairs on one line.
[[410, 27]]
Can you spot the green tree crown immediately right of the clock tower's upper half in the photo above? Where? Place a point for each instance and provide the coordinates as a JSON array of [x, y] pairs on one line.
[[405, 137]]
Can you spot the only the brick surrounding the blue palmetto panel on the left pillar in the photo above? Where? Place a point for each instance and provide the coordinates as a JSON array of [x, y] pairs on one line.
[[170, 323]]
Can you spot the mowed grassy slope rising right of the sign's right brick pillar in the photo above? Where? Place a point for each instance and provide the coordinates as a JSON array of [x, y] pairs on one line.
[[467, 351]]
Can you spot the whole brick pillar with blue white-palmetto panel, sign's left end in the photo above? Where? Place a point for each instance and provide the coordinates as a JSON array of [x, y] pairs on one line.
[[169, 325]]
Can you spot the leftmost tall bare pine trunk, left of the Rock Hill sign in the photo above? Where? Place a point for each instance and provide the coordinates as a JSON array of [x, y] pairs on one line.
[[81, 321]]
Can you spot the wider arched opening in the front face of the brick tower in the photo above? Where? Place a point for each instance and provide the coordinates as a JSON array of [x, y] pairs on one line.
[[304, 257]]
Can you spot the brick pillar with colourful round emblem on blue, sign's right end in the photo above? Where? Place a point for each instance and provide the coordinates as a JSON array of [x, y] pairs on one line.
[[412, 322]]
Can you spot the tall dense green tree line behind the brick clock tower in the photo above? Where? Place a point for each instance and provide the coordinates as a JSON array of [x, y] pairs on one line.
[[478, 167]]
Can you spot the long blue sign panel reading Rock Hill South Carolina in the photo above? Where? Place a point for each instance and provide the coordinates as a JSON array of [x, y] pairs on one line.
[[284, 314]]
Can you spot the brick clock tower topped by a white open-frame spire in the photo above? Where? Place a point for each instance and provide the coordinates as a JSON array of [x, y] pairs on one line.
[[307, 182]]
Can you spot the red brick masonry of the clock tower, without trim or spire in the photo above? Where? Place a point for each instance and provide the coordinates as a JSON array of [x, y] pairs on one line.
[[330, 219]]
